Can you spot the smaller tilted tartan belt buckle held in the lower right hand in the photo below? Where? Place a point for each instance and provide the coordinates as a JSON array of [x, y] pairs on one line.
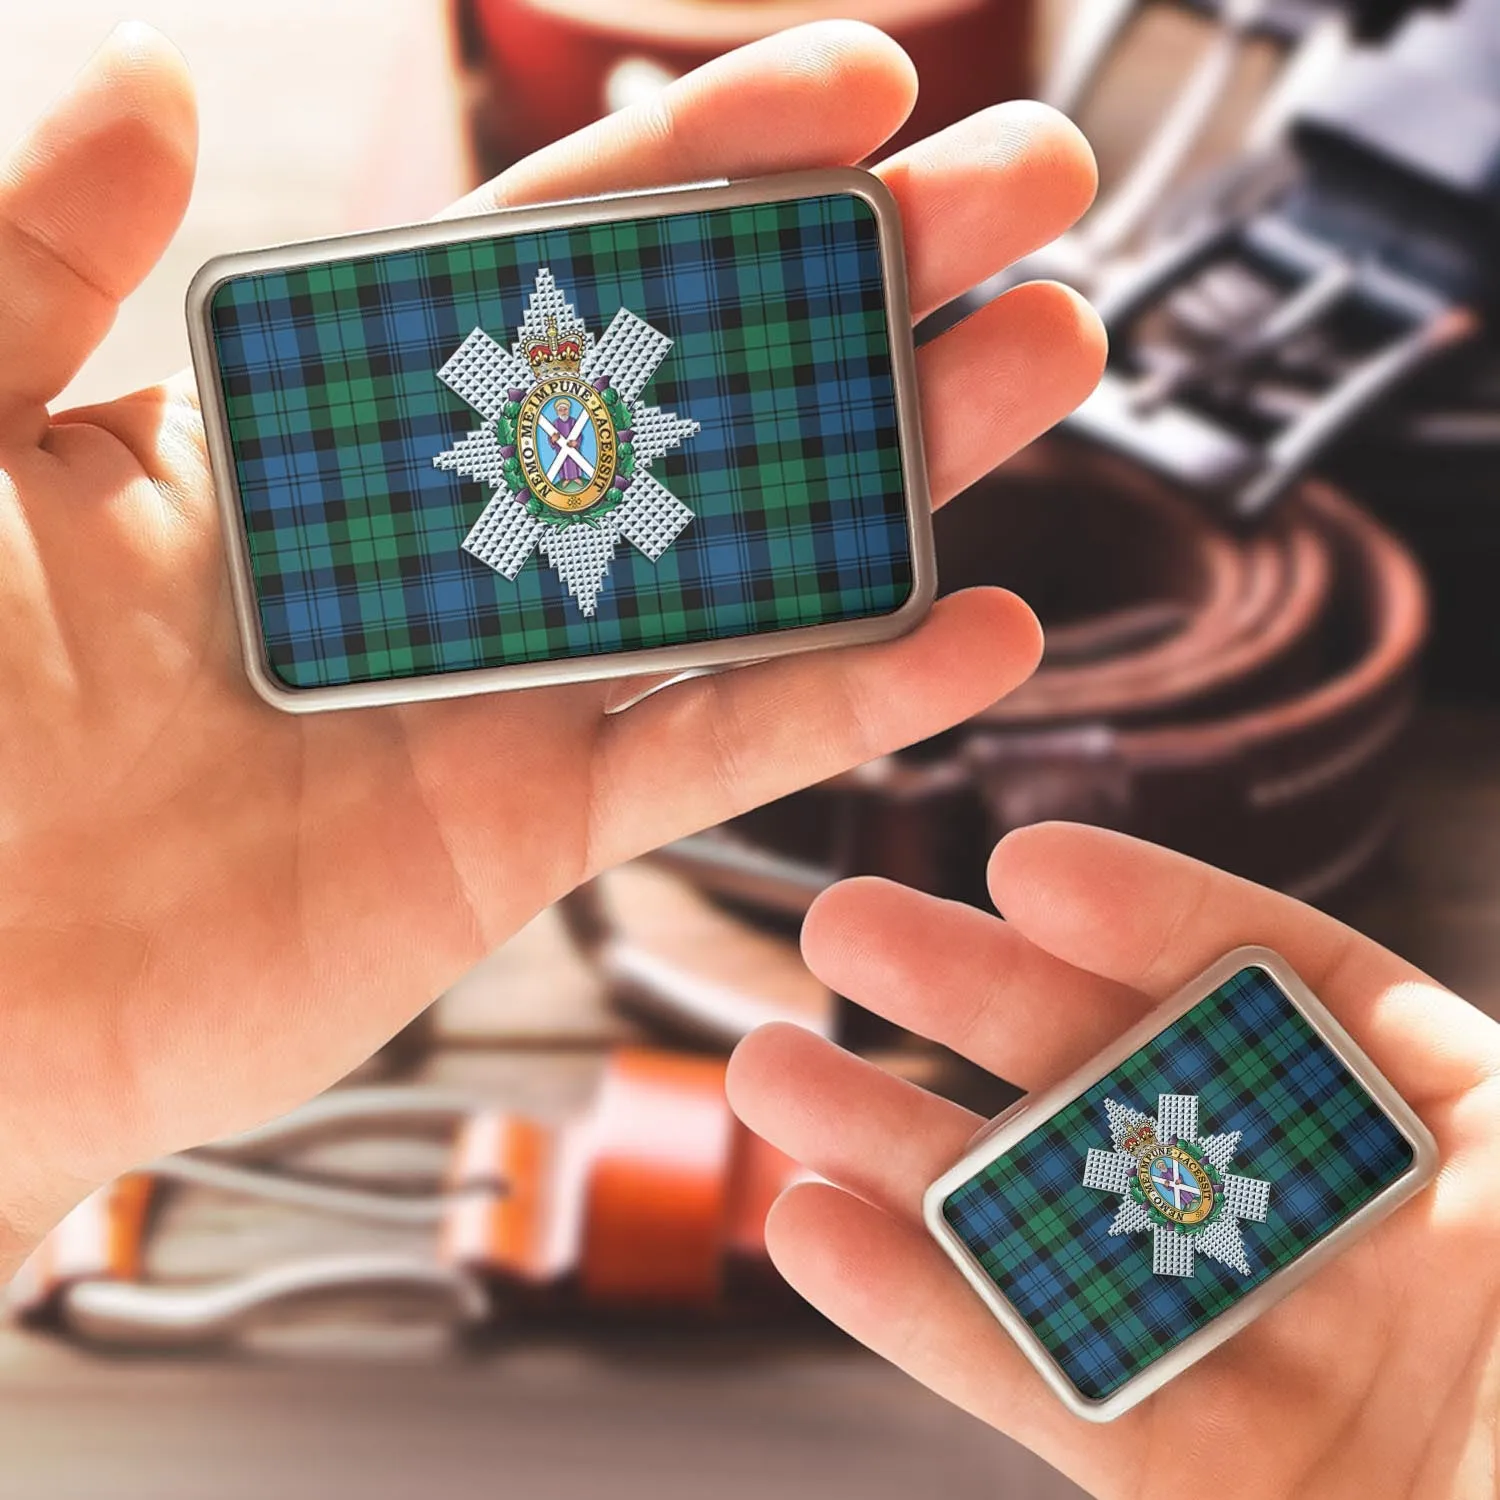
[[1133, 1217]]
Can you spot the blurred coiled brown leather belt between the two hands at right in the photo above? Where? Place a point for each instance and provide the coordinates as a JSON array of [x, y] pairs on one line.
[[1238, 698]]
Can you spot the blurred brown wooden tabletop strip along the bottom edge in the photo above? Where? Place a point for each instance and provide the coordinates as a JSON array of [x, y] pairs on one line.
[[632, 1423]]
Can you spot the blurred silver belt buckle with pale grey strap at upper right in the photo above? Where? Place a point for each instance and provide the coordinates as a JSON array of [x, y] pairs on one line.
[[1252, 343]]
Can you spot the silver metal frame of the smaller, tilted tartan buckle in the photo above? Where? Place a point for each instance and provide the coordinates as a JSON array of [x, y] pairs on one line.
[[1022, 1118]]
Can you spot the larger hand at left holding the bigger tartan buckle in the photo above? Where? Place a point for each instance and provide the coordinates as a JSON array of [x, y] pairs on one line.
[[211, 910]]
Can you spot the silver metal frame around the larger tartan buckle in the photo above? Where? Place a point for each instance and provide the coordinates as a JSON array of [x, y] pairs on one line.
[[521, 221]]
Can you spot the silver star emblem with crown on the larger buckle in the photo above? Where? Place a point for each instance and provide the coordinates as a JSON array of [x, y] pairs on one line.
[[568, 445]]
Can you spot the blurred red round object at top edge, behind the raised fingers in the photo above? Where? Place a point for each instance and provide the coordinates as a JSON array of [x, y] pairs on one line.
[[547, 68]]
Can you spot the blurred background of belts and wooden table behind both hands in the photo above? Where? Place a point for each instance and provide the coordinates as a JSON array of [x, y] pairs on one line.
[[520, 1252]]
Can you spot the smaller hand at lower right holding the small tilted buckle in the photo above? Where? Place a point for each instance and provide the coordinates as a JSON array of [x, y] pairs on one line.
[[1381, 1376]]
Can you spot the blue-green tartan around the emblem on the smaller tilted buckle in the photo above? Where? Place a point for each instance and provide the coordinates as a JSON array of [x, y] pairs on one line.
[[1309, 1127]]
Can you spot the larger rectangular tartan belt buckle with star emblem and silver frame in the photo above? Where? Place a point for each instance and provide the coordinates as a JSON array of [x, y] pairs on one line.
[[637, 434]]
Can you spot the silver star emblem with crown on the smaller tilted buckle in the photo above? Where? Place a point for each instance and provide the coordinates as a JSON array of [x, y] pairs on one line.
[[1175, 1184]]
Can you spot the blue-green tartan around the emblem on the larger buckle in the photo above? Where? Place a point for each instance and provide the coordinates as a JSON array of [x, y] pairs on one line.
[[782, 355]]
